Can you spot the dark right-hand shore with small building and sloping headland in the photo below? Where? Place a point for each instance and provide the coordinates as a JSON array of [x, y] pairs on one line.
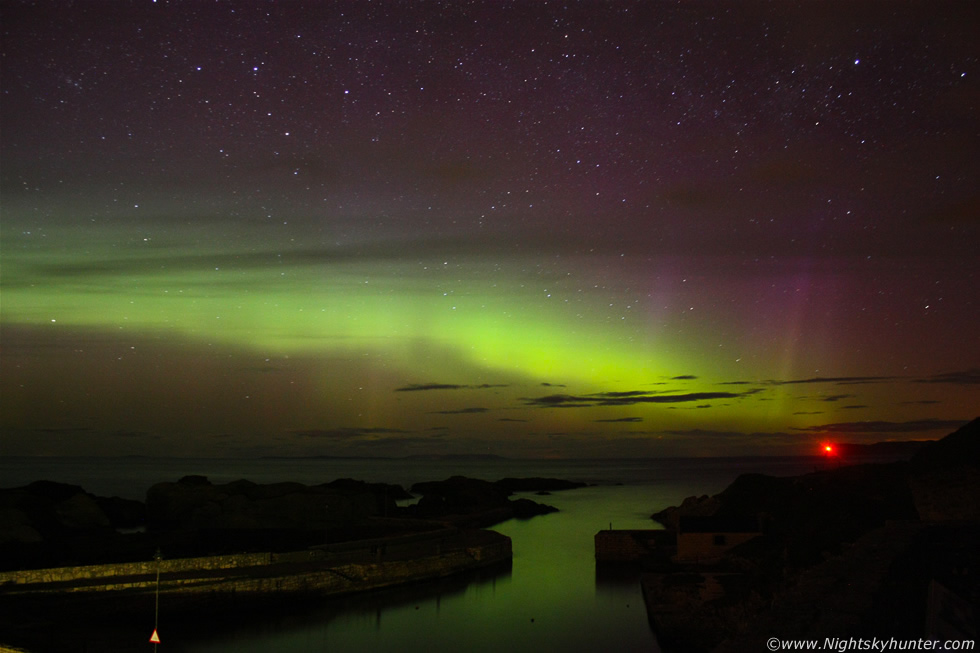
[[875, 550]]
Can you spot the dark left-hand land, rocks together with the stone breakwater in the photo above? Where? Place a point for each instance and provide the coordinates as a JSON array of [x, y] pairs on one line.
[[77, 563]]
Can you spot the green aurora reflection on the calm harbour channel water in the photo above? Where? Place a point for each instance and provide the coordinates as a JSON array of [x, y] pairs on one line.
[[549, 600]]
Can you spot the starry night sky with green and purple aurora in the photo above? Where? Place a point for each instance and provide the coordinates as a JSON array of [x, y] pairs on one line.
[[559, 229]]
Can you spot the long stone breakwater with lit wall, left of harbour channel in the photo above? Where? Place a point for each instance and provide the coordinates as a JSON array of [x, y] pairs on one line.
[[325, 571]]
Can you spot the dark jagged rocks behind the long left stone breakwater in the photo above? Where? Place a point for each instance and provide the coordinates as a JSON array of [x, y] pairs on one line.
[[50, 524]]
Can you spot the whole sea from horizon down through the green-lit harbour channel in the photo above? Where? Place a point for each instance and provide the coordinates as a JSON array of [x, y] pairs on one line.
[[551, 598]]
